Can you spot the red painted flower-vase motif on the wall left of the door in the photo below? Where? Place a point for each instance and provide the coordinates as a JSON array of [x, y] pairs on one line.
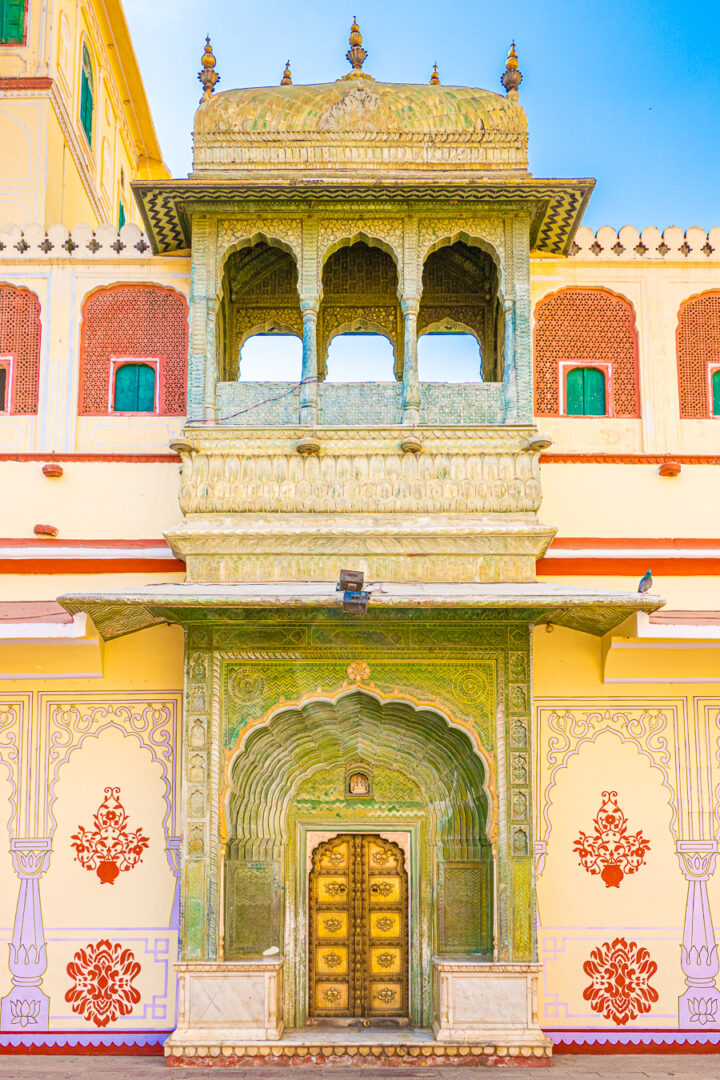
[[110, 848]]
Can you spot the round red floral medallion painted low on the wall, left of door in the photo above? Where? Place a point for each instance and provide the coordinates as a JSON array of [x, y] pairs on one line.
[[103, 982]]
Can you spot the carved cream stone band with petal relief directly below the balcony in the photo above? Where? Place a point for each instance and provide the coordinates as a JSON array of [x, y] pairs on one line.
[[382, 471]]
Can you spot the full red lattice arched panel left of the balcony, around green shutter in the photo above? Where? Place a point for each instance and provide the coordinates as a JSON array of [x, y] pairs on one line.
[[134, 322]]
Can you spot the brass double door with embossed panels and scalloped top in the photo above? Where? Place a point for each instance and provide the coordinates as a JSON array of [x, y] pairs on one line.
[[359, 929]]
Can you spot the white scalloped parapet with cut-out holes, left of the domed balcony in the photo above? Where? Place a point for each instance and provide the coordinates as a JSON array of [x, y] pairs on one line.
[[84, 242]]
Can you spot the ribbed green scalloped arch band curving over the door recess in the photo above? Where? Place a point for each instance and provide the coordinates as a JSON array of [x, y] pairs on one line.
[[293, 740]]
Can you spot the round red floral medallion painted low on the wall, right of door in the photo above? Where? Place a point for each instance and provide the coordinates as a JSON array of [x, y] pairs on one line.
[[621, 975]]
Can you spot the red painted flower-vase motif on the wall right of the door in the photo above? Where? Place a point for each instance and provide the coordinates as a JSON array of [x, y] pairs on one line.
[[612, 853]]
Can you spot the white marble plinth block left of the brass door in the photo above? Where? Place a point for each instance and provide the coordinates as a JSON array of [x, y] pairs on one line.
[[229, 1002]]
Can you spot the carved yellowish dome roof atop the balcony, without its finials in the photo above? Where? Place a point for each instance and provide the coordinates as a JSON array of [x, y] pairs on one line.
[[360, 126]]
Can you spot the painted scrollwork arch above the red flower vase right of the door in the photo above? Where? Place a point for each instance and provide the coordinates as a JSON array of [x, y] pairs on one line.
[[647, 730]]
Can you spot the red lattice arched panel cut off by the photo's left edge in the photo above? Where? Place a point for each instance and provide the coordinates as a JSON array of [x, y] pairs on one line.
[[20, 340]]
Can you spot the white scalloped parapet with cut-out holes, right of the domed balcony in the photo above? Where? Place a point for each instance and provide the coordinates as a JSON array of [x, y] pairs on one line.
[[695, 246]]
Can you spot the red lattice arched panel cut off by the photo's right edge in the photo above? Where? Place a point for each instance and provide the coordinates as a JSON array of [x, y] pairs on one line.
[[699, 347]]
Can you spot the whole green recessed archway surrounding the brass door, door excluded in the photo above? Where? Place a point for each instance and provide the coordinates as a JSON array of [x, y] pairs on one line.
[[291, 785]]
